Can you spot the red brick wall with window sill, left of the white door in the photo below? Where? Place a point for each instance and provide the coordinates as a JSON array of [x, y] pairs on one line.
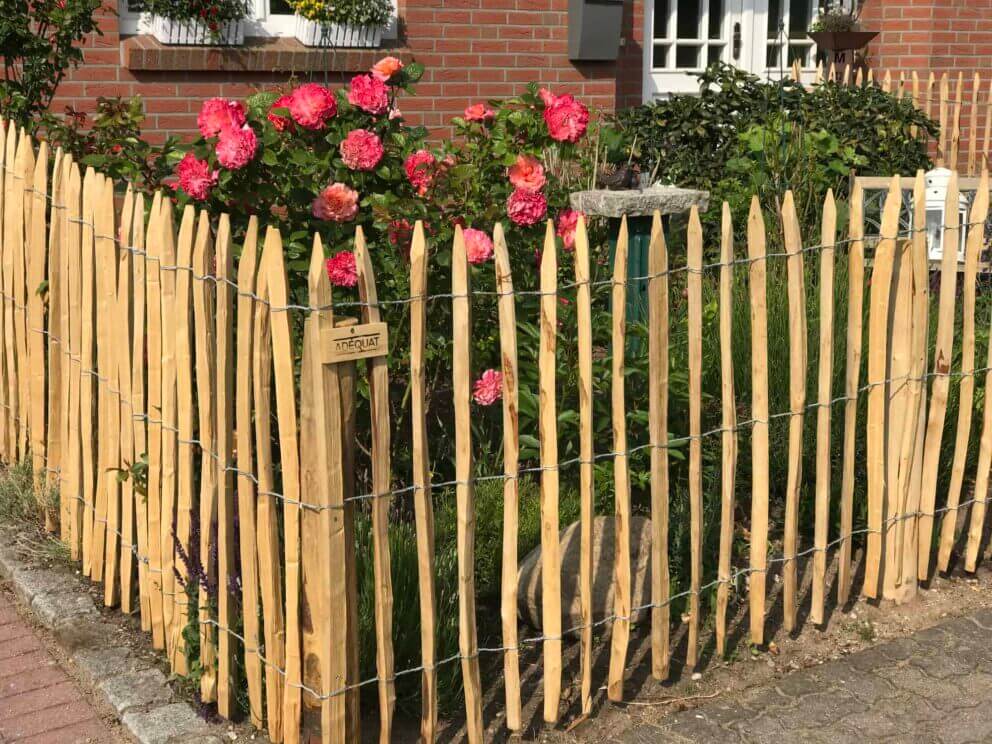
[[472, 49]]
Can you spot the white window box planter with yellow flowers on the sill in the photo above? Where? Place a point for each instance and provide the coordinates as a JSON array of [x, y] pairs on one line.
[[341, 23]]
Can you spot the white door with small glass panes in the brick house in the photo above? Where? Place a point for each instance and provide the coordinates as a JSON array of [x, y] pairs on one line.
[[683, 37]]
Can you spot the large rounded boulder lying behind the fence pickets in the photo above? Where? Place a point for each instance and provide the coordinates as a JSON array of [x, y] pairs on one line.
[[603, 550]]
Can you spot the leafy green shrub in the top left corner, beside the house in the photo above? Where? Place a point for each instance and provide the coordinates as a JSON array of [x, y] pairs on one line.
[[39, 42]]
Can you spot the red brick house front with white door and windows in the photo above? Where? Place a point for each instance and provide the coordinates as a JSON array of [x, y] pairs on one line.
[[478, 49]]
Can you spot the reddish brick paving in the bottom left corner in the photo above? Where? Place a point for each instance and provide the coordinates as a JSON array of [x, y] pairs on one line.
[[39, 703]]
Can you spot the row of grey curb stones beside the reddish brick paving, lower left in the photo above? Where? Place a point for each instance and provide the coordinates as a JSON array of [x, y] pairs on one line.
[[133, 687]]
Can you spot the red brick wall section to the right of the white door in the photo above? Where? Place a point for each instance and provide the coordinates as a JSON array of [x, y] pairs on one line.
[[936, 36]]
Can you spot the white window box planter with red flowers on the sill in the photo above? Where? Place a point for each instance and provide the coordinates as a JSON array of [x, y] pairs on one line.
[[198, 22]]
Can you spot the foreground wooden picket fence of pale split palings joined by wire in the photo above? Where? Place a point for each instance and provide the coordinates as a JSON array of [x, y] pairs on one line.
[[125, 340]]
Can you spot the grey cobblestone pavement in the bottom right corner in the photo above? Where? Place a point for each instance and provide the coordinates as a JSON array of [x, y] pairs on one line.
[[933, 686]]
